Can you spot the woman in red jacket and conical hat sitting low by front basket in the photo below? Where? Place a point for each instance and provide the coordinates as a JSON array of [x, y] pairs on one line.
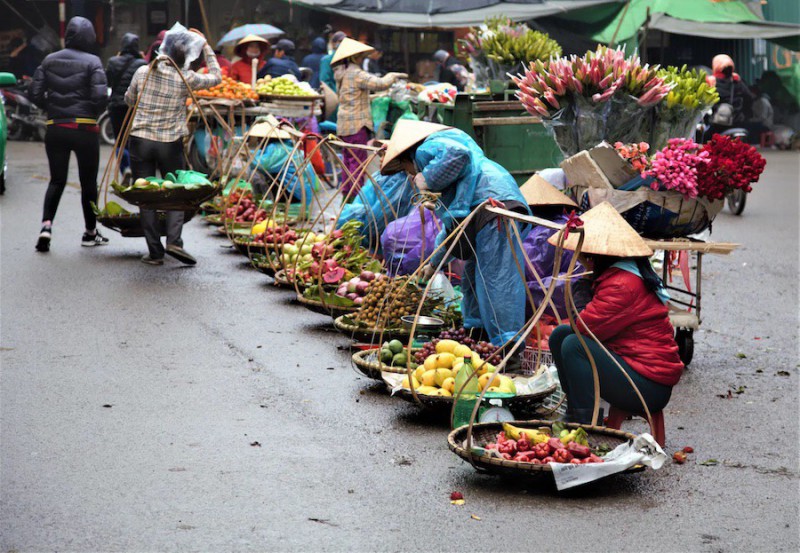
[[627, 314]]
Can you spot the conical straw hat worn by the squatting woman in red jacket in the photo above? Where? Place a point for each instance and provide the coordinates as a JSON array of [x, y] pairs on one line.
[[606, 233]]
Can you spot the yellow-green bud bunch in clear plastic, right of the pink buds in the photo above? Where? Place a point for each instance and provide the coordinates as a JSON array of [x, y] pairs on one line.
[[678, 115]]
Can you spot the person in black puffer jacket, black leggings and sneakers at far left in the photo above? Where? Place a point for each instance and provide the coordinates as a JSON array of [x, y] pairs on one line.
[[71, 86]]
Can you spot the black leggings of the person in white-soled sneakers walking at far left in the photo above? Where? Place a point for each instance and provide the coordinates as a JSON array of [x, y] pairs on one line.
[[59, 143]]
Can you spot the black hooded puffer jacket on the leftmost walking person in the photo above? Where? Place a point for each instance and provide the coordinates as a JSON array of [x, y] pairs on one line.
[[71, 83]]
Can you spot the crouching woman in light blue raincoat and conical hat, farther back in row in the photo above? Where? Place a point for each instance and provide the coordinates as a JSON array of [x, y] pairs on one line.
[[280, 160]]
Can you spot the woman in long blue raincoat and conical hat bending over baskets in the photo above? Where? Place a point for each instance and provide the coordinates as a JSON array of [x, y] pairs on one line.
[[446, 160]]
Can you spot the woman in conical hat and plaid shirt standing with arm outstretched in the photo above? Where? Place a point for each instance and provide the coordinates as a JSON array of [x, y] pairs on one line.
[[354, 123]]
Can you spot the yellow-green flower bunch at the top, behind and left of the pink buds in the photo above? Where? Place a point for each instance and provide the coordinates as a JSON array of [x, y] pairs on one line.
[[500, 47]]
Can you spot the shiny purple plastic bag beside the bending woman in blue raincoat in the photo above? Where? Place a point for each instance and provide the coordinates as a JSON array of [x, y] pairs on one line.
[[402, 242]]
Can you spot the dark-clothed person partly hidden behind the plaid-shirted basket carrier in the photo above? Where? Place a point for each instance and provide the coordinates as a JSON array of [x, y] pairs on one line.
[[119, 72]]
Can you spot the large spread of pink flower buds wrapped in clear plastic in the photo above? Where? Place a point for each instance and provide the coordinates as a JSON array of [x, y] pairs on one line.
[[602, 95]]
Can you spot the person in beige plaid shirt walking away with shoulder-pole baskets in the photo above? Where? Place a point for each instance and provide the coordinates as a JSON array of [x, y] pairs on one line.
[[157, 132]]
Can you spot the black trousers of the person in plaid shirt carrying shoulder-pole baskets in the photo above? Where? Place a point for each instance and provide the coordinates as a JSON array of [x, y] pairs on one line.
[[147, 156]]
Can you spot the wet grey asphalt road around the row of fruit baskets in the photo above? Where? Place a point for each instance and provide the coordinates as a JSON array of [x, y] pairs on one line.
[[132, 397]]
